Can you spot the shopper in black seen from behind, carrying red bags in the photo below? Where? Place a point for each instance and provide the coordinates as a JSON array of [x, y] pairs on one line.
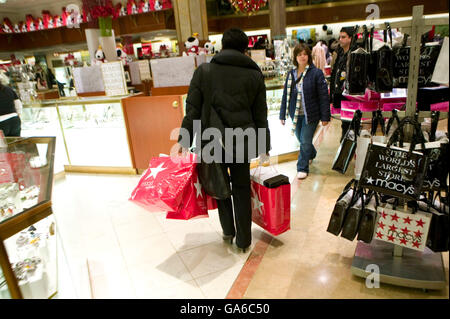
[[233, 86]]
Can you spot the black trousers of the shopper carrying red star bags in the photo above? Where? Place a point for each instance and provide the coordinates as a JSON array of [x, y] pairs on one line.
[[240, 185]]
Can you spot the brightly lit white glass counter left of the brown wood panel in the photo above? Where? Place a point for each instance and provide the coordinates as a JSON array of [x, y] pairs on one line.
[[90, 131]]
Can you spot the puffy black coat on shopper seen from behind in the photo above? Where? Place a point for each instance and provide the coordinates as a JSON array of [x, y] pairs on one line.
[[234, 86]]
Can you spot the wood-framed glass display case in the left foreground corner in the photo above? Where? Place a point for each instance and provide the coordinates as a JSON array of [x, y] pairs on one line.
[[28, 254]]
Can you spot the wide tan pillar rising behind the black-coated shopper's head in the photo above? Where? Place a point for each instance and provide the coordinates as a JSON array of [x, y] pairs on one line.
[[190, 17]]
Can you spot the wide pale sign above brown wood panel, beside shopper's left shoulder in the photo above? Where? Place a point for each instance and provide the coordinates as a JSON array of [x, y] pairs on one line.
[[169, 72]]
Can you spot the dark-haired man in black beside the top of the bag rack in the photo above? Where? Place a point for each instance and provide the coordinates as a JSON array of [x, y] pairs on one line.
[[338, 74]]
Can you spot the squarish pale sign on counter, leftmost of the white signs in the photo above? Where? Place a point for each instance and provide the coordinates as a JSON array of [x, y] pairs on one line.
[[88, 79]]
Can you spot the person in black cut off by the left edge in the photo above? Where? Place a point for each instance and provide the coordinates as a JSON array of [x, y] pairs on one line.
[[10, 110]]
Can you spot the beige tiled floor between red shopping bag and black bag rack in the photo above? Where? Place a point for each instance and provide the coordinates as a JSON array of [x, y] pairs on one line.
[[309, 262]]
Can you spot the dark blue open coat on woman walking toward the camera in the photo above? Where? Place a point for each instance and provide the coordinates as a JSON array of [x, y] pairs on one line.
[[315, 93]]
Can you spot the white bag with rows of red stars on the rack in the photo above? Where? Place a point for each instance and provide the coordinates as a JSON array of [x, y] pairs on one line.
[[403, 229]]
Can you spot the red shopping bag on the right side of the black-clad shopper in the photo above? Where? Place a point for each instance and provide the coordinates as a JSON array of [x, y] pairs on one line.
[[271, 207]]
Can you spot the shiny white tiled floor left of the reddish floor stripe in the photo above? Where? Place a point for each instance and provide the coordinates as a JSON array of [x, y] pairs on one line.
[[116, 249]]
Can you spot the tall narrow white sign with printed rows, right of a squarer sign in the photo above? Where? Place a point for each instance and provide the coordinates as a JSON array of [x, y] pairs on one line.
[[114, 79]]
